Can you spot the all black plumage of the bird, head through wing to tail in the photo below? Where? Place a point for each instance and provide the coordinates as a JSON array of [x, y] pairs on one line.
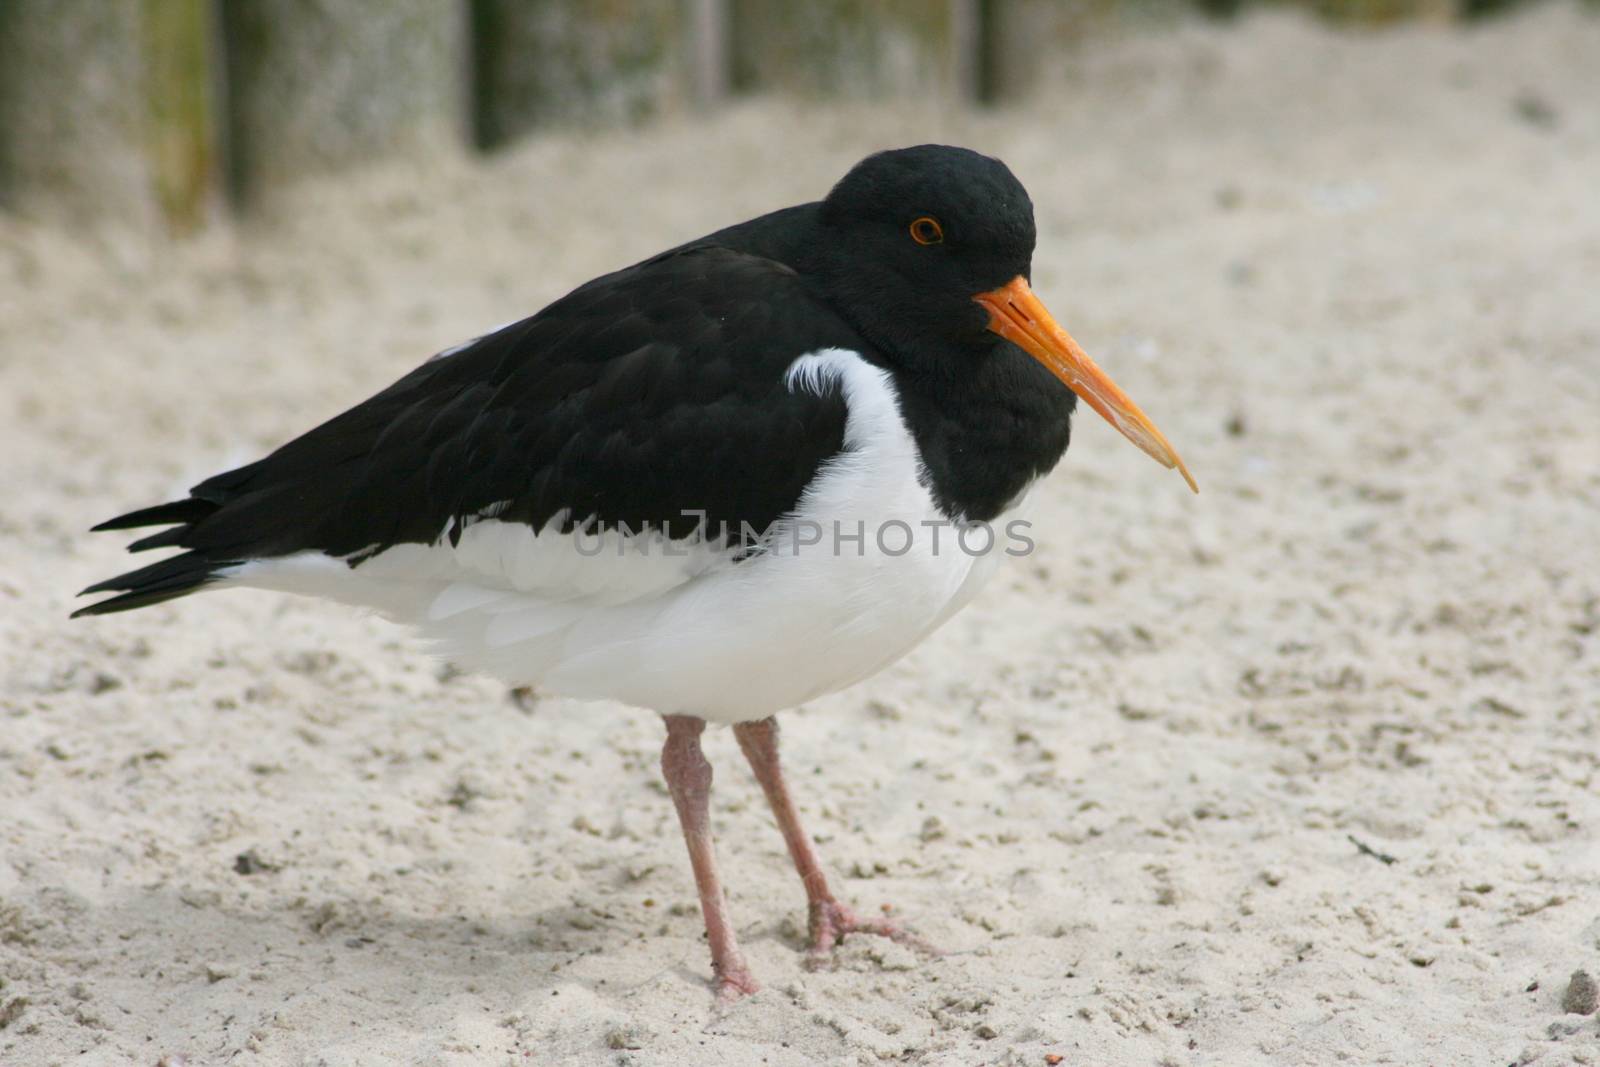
[[655, 396]]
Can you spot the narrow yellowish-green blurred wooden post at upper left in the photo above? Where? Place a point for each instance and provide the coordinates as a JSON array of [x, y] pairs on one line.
[[180, 81]]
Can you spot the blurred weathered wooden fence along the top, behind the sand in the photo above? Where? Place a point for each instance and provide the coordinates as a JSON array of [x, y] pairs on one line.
[[175, 111]]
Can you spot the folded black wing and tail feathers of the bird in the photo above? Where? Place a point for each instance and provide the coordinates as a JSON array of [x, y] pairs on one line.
[[641, 399]]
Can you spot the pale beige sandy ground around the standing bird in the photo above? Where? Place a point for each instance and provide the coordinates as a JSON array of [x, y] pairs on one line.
[[1353, 278]]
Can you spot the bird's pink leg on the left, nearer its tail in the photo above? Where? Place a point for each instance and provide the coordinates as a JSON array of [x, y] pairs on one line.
[[689, 781]]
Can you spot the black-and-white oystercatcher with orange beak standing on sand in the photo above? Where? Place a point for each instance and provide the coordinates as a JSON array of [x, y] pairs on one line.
[[708, 486]]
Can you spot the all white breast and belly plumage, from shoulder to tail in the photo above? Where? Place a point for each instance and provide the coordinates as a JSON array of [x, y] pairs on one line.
[[692, 631]]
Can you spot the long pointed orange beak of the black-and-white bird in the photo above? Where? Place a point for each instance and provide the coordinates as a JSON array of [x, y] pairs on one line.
[[1022, 319]]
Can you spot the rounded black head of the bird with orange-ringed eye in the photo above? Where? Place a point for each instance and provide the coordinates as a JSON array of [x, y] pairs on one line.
[[913, 236]]
